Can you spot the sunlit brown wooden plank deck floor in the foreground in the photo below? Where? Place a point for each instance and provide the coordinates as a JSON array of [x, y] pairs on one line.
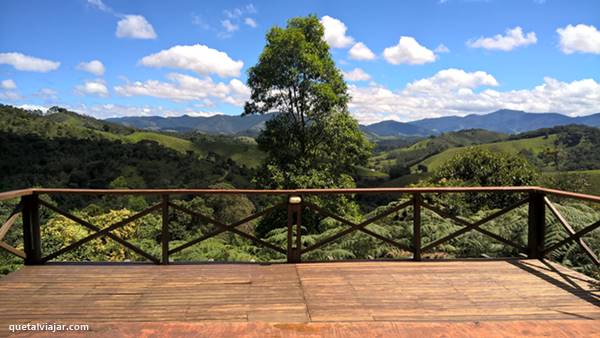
[[384, 294]]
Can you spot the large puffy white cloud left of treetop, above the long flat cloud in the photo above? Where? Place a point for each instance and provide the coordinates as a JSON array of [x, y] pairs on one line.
[[199, 58]]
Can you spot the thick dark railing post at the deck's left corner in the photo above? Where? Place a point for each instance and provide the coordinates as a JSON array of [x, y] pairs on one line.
[[31, 230]]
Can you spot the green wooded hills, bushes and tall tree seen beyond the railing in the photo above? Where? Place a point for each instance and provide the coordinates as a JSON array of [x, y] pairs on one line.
[[313, 142]]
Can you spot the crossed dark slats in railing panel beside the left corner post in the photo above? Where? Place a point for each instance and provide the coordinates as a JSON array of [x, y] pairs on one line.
[[100, 232]]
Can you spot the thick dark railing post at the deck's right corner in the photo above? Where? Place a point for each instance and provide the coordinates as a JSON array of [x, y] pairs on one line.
[[536, 225]]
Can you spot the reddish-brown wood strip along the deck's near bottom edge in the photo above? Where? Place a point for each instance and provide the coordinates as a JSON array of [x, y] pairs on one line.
[[491, 329]]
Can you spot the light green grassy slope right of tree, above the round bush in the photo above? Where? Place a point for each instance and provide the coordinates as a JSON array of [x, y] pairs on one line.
[[535, 145]]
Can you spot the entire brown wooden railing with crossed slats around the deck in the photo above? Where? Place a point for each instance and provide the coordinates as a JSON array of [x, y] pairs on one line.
[[535, 197]]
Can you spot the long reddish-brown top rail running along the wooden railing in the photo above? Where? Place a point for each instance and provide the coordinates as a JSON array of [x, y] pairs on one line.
[[24, 192]]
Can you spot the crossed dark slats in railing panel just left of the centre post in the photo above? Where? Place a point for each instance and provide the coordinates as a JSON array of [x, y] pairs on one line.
[[224, 227]]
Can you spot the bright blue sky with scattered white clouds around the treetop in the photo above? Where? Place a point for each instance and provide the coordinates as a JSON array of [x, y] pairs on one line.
[[403, 60]]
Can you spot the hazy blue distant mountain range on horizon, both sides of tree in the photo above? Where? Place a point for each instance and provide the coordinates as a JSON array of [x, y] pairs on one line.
[[502, 121]]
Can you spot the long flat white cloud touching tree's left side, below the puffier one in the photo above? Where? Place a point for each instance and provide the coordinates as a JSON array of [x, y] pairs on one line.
[[188, 88]]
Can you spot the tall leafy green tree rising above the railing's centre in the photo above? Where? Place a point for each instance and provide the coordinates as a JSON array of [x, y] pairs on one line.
[[313, 141]]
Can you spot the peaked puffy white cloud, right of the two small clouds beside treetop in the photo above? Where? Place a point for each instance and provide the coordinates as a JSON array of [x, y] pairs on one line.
[[408, 51]]
